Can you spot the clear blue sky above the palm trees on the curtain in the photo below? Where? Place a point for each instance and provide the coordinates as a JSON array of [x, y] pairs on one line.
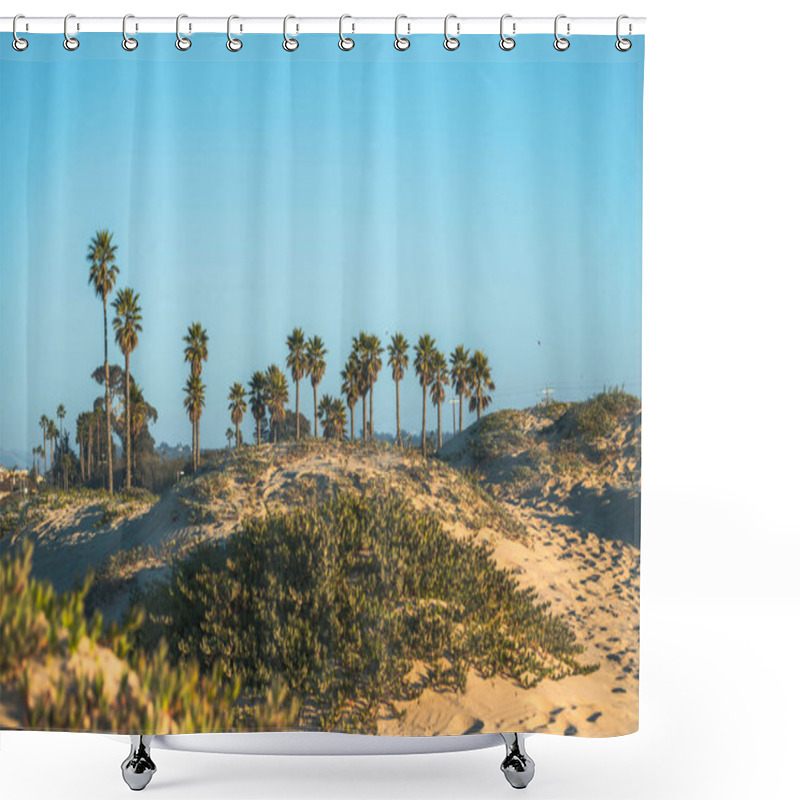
[[489, 198]]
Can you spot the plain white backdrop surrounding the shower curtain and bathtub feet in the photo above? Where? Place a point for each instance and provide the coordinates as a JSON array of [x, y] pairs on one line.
[[720, 706]]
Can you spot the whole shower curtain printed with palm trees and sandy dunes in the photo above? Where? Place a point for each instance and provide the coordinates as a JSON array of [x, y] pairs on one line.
[[320, 385]]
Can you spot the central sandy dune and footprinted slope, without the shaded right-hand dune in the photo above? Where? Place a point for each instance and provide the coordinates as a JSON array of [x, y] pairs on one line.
[[590, 579]]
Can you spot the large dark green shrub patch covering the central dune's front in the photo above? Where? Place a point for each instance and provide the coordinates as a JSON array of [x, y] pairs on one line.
[[343, 601]]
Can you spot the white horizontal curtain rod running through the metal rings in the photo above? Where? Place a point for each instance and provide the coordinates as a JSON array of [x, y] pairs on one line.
[[408, 25]]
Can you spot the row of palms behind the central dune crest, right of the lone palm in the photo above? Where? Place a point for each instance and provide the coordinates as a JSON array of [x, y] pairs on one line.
[[267, 392]]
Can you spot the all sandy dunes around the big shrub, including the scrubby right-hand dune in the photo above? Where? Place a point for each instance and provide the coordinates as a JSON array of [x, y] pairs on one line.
[[553, 497]]
